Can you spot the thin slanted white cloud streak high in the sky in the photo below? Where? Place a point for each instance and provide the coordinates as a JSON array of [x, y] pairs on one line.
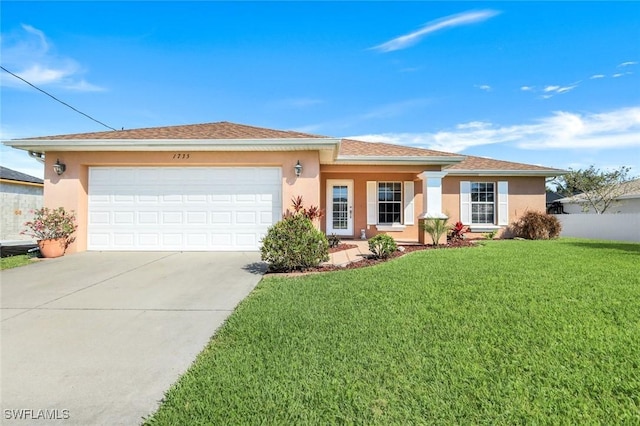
[[412, 38]]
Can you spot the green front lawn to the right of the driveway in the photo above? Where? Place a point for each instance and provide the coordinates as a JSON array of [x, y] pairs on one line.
[[513, 332]]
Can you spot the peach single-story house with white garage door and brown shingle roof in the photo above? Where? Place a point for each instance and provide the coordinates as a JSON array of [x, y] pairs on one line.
[[219, 186]]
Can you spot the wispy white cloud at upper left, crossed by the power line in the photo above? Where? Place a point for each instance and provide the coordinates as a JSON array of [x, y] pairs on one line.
[[30, 55]]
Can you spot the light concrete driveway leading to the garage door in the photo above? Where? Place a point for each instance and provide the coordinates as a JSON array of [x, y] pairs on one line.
[[97, 338]]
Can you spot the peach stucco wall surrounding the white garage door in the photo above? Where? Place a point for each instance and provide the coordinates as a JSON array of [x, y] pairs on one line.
[[70, 190]]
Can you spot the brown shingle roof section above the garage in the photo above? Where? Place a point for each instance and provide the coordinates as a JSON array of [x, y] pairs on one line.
[[219, 130]]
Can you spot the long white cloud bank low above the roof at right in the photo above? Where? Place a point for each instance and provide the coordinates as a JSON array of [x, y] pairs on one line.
[[562, 130]]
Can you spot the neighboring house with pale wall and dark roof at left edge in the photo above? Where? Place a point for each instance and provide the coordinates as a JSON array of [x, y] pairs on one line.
[[19, 194]]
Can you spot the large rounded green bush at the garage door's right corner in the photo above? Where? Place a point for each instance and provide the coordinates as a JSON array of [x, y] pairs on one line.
[[294, 244]]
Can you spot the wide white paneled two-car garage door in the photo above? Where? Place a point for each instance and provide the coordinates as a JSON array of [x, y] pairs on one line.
[[182, 208]]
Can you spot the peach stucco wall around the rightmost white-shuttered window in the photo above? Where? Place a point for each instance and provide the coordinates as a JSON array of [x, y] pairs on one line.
[[526, 193]]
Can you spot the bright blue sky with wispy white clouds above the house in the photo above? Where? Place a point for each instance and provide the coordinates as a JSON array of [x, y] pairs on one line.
[[549, 83]]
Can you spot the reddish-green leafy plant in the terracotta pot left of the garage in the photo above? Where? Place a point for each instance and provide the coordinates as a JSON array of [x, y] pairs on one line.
[[51, 224]]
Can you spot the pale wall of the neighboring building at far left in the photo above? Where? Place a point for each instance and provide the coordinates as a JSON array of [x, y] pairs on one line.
[[17, 201]]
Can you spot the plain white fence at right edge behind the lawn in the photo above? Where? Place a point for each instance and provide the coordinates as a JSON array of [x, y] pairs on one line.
[[620, 227]]
